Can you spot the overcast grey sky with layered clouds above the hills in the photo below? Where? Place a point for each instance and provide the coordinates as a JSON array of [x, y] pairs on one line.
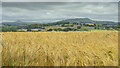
[[55, 11]]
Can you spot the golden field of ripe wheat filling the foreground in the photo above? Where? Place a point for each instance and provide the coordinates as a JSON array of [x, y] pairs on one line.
[[79, 48]]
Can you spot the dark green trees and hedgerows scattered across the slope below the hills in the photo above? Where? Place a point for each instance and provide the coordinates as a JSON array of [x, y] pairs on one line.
[[68, 27]]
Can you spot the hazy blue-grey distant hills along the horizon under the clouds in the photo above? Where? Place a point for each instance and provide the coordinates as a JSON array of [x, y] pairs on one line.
[[78, 20]]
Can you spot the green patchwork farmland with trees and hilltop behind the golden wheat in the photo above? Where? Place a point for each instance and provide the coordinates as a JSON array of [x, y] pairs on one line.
[[61, 26]]
